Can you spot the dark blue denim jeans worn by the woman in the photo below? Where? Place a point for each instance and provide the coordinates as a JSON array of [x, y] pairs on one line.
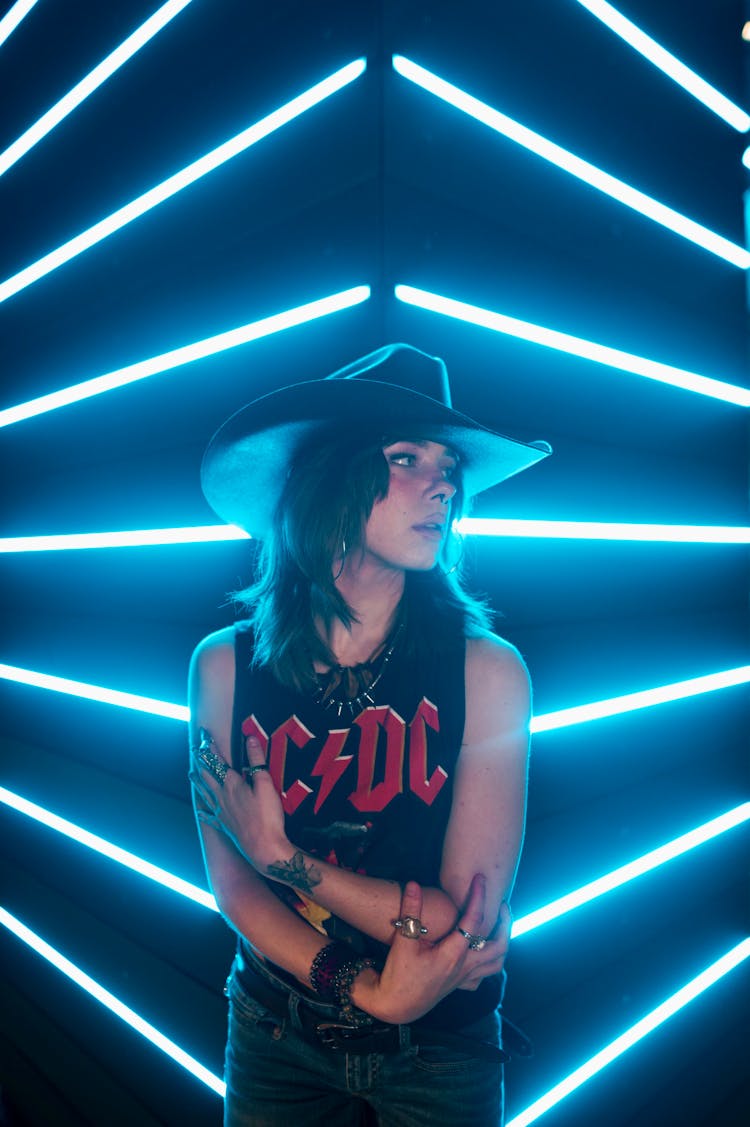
[[276, 1078]]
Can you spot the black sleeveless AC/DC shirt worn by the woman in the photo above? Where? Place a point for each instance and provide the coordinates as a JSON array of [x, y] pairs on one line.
[[369, 792]]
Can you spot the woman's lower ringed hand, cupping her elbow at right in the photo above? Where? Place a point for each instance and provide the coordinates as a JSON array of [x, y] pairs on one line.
[[419, 974]]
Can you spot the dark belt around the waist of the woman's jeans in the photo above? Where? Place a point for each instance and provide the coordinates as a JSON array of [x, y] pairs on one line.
[[361, 1040]]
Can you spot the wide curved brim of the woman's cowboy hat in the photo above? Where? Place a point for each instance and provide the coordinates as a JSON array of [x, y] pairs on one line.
[[246, 463]]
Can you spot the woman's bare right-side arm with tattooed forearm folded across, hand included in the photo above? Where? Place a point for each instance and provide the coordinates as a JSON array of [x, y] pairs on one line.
[[484, 831]]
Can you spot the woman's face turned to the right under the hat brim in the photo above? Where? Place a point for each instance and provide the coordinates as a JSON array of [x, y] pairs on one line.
[[408, 528]]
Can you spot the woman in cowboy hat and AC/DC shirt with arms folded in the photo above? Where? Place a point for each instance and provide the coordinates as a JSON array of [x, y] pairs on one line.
[[359, 757]]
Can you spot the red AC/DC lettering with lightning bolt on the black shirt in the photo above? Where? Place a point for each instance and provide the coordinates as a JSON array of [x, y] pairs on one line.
[[402, 756]]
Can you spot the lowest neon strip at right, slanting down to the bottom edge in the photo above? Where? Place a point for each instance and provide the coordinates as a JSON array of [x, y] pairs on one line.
[[631, 1037]]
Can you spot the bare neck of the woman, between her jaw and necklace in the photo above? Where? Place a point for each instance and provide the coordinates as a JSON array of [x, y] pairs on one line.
[[375, 599]]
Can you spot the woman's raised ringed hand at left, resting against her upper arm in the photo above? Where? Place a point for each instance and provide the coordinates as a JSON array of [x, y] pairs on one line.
[[246, 807]]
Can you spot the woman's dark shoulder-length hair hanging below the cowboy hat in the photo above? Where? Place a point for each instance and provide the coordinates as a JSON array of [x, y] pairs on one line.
[[325, 504]]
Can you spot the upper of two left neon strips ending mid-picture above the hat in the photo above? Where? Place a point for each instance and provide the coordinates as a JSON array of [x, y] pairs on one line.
[[183, 179]]
